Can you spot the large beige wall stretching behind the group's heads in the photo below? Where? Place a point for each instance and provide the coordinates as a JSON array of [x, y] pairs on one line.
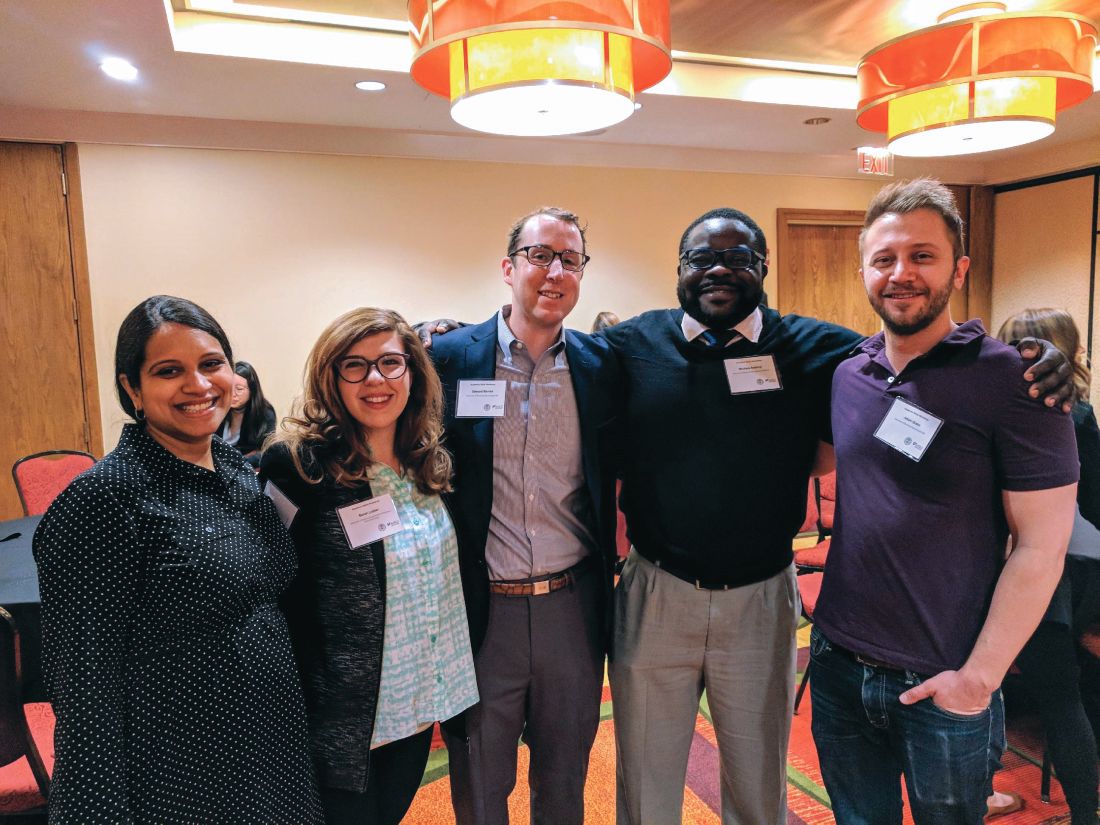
[[278, 245]]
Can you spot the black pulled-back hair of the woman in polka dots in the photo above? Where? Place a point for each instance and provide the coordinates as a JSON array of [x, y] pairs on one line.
[[140, 325]]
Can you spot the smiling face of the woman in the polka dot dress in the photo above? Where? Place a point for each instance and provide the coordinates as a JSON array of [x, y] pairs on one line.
[[185, 389]]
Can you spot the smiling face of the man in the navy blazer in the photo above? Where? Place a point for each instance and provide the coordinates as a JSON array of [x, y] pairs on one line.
[[542, 298]]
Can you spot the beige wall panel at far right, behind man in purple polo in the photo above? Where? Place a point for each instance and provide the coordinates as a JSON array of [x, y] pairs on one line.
[[1042, 251]]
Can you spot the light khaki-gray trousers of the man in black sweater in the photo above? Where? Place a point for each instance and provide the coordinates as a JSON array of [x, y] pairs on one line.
[[672, 642]]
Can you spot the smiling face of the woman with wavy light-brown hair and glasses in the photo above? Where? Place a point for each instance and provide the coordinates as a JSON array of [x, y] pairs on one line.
[[377, 403]]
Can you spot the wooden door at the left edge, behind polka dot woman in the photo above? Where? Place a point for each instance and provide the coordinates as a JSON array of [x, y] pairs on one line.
[[43, 370]]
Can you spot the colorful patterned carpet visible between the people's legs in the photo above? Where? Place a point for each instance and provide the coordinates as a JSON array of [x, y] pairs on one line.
[[808, 804]]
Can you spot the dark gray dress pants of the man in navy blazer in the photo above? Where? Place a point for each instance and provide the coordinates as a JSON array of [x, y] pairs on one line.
[[541, 678]]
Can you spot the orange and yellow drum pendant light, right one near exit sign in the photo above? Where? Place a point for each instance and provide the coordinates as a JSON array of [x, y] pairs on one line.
[[976, 84]]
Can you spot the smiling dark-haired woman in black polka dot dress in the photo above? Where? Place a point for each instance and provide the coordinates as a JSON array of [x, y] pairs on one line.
[[168, 662]]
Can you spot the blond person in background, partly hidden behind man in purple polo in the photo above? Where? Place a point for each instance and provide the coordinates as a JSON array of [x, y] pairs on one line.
[[1052, 664]]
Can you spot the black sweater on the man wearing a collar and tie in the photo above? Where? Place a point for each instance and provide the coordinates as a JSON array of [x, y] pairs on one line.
[[714, 486]]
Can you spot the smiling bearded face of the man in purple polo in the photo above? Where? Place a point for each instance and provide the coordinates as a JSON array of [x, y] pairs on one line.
[[910, 271]]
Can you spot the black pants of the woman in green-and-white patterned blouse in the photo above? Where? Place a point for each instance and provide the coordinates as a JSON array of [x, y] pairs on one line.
[[394, 777]]
